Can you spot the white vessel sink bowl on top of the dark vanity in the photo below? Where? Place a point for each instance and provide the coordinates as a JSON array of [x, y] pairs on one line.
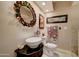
[[33, 42]]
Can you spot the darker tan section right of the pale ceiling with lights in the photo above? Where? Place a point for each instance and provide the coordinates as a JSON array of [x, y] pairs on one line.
[[62, 5]]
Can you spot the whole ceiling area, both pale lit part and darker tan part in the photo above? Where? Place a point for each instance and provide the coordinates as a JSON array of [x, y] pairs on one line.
[[50, 6]]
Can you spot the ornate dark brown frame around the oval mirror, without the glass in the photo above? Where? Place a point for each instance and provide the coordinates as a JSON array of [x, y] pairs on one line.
[[17, 6]]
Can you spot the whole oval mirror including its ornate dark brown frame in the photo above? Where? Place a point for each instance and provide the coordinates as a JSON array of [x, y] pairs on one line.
[[25, 13]]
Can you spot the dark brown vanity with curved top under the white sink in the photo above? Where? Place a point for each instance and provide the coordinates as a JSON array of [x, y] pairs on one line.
[[29, 52]]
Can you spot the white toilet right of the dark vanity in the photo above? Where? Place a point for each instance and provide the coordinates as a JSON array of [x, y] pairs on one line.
[[49, 48]]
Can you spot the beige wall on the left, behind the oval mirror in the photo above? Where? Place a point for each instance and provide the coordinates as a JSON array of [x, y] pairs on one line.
[[12, 34]]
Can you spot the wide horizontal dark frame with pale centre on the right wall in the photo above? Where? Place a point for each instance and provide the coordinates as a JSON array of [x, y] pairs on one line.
[[57, 19]]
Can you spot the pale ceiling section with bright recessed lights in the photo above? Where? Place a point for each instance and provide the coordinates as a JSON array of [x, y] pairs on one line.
[[45, 6]]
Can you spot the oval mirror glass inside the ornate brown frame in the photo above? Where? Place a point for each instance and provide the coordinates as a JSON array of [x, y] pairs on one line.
[[26, 14]]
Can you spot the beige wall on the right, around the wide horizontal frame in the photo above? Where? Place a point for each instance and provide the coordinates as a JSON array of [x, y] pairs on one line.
[[68, 37]]
